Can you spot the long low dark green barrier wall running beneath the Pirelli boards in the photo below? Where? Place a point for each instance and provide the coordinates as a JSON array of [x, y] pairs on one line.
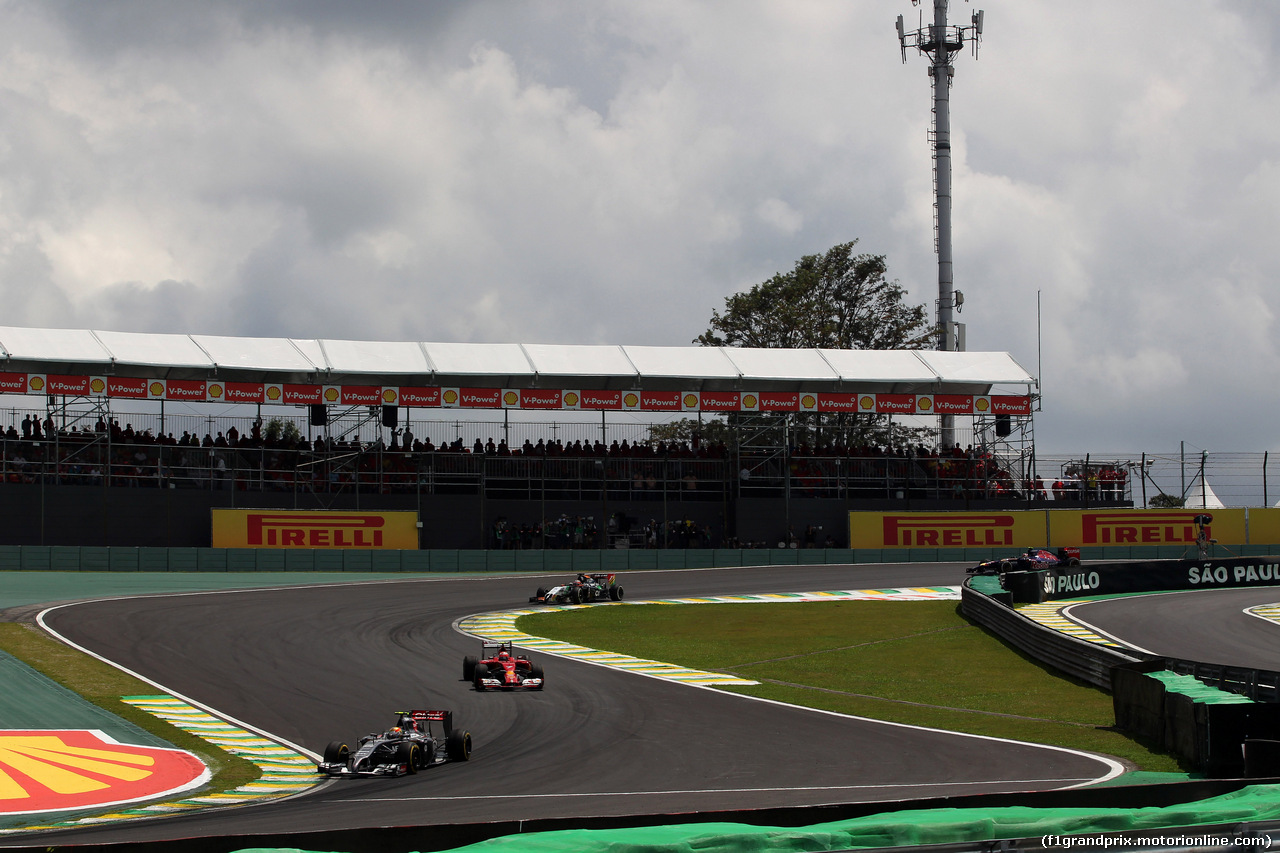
[[126, 559]]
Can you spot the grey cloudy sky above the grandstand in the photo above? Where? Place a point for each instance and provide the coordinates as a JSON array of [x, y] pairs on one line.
[[595, 172]]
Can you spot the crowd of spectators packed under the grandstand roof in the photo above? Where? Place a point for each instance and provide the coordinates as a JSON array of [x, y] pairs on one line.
[[273, 459]]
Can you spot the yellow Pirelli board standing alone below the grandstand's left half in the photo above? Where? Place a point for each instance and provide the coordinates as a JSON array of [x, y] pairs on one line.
[[314, 530]]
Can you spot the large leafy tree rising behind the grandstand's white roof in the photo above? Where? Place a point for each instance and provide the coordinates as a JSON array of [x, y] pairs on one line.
[[839, 300]]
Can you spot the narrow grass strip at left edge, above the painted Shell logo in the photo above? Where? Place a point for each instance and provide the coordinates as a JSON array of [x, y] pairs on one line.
[[104, 686]]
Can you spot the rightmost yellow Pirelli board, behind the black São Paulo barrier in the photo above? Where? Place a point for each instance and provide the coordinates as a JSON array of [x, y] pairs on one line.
[[1091, 528]]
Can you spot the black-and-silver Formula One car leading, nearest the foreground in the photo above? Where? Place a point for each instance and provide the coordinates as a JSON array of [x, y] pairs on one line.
[[405, 749]]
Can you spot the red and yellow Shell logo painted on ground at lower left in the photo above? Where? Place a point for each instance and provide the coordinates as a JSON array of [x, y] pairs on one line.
[[54, 770]]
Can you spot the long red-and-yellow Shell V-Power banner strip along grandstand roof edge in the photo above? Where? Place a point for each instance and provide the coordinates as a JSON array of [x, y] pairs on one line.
[[458, 398]]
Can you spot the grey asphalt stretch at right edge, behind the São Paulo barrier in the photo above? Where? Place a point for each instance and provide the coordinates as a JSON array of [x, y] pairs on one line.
[[1208, 626]]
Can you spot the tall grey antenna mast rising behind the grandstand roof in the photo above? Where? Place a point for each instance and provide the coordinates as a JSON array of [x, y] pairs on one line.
[[940, 43]]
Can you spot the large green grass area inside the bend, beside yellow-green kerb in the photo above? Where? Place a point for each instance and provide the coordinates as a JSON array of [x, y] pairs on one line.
[[915, 663]]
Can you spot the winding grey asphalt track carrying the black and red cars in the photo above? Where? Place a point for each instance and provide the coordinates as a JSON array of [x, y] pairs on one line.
[[317, 664]]
